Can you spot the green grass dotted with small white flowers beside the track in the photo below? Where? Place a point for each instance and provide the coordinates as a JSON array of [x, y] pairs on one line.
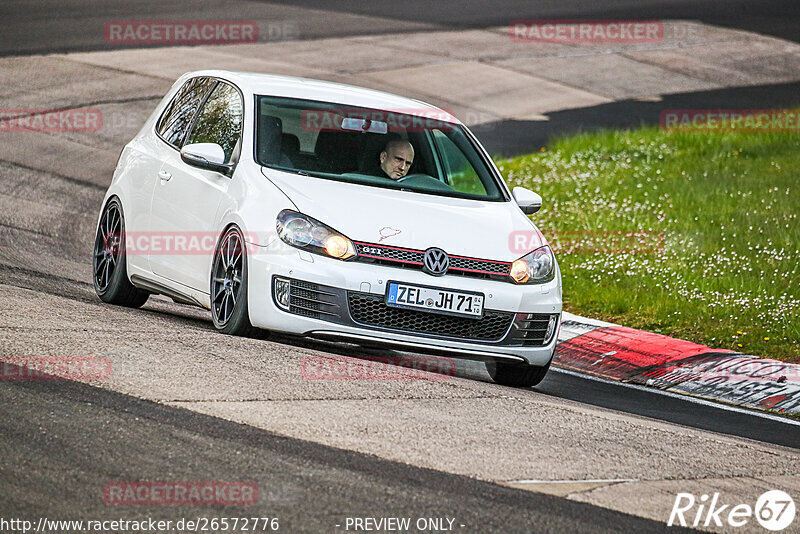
[[715, 255]]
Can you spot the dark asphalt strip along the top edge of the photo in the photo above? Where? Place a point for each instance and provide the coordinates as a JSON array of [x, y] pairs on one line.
[[40, 26]]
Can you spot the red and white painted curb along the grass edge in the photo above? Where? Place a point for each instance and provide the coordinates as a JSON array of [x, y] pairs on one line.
[[625, 354]]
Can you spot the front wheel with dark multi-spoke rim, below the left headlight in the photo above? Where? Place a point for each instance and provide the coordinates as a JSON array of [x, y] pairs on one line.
[[229, 286]]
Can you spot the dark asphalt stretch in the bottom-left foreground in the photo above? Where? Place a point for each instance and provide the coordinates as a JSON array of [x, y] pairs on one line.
[[88, 434]]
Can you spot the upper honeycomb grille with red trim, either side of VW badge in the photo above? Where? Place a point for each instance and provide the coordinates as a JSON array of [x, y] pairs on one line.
[[412, 259]]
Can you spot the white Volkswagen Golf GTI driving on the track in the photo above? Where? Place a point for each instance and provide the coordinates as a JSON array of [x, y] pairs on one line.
[[330, 211]]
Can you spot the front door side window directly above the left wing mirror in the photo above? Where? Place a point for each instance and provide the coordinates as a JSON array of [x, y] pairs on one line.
[[220, 121]]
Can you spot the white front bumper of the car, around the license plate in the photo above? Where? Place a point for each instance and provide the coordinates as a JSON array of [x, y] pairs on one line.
[[345, 300]]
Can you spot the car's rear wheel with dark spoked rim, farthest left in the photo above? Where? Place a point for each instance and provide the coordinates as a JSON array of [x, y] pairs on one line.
[[109, 265]]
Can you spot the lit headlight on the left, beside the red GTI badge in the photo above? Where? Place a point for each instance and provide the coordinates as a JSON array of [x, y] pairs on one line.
[[309, 234]]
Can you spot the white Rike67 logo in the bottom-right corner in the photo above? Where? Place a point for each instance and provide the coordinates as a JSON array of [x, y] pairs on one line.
[[774, 510]]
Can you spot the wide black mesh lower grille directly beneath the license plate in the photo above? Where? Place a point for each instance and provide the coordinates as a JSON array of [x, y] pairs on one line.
[[371, 310]]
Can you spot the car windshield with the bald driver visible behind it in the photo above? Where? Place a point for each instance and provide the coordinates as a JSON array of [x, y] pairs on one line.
[[380, 148]]
